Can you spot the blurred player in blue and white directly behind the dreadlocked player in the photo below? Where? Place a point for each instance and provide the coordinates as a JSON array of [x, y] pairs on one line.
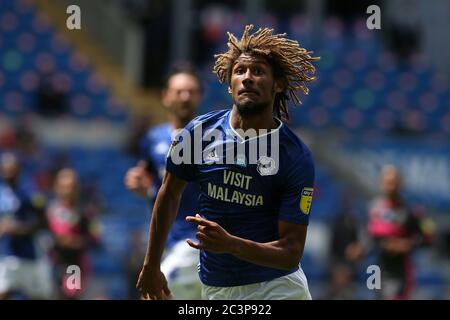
[[181, 96]]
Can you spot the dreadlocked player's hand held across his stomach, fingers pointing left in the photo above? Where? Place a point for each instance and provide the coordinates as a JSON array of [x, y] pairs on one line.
[[212, 237]]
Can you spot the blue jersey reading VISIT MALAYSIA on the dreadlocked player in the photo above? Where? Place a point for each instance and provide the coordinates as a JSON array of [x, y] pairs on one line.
[[246, 197]]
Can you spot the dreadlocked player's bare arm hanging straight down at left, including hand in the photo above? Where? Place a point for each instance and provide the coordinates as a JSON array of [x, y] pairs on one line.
[[151, 282]]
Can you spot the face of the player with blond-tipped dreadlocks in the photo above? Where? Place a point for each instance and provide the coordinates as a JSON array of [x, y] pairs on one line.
[[252, 84]]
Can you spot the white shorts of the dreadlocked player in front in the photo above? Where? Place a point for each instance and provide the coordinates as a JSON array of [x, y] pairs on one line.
[[293, 286]]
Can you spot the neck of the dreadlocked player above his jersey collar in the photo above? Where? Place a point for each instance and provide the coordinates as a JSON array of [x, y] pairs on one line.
[[261, 121]]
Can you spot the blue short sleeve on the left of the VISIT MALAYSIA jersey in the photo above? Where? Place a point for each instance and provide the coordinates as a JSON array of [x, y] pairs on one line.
[[180, 158]]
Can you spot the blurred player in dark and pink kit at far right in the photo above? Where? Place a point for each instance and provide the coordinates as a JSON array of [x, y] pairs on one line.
[[397, 229]]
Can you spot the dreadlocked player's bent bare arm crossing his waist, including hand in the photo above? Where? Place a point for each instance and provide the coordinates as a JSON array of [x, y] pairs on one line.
[[284, 253]]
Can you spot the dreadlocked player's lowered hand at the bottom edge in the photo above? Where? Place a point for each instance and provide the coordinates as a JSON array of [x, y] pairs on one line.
[[153, 285]]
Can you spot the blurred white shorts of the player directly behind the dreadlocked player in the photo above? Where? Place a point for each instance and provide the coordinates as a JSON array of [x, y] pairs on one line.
[[180, 266]]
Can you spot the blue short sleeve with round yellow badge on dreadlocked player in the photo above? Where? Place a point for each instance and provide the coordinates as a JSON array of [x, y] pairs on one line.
[[297, 195]]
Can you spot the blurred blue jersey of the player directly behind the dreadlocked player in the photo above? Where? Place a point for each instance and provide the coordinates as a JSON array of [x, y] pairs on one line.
[[154, 148]]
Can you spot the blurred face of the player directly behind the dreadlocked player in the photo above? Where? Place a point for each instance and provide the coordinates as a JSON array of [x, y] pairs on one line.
[[182, 96]]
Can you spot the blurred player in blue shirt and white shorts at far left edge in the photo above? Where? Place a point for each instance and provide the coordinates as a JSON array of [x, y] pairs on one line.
[[24, 271]]
